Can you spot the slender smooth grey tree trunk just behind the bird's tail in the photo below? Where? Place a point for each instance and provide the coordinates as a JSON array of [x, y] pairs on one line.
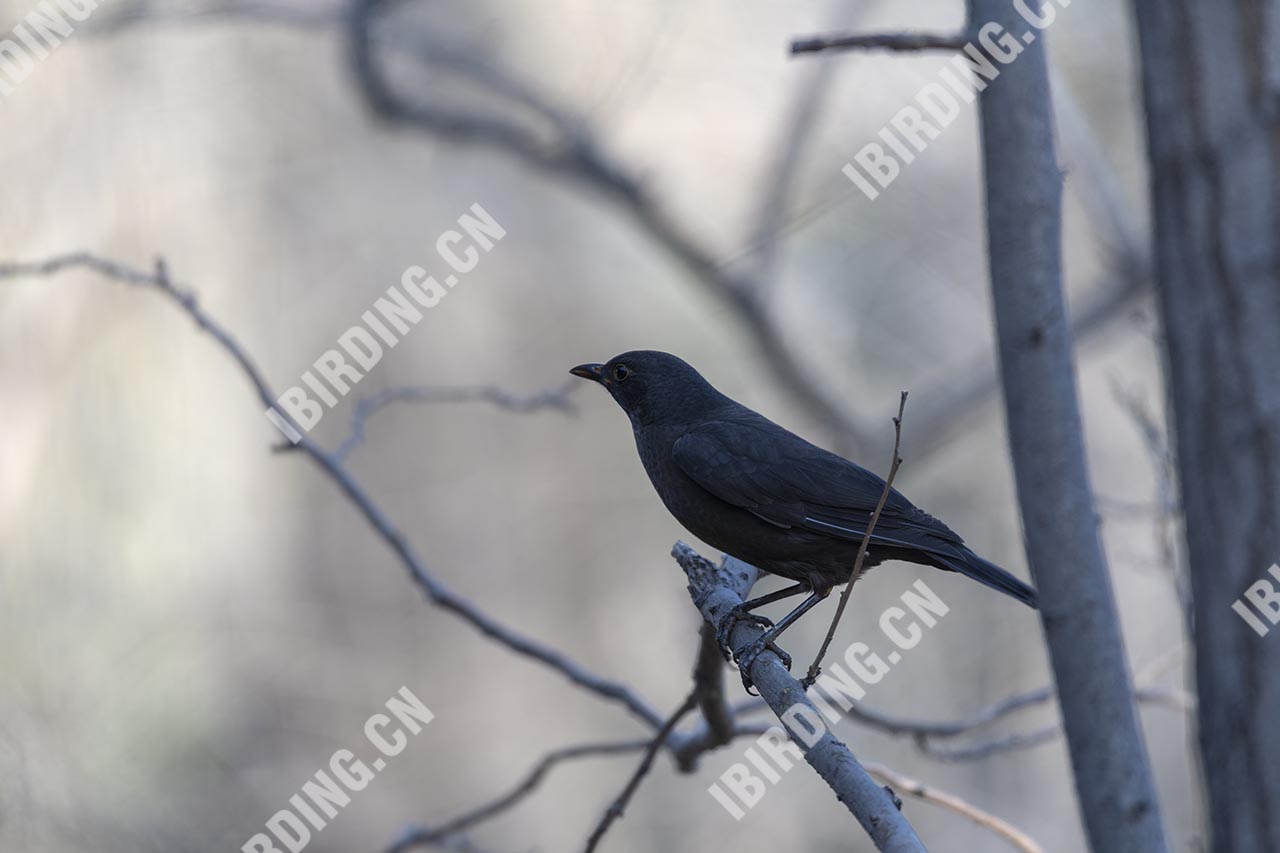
[[1109, 760]]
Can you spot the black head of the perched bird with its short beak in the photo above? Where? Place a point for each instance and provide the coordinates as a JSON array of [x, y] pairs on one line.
[[653, 386]]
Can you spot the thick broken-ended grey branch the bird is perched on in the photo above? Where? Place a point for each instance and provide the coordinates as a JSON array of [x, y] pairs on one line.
[[717, 592]]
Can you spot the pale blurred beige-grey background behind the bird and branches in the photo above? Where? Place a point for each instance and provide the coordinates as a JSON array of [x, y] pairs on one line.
[[191, 624]]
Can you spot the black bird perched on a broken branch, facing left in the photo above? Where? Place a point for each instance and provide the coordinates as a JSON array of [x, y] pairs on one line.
[[758, 492]]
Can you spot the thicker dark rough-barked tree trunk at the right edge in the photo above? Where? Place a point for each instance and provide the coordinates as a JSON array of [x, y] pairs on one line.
[[1212, 80]]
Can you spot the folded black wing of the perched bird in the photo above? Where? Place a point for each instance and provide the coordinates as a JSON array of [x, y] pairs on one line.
[[755, 464]]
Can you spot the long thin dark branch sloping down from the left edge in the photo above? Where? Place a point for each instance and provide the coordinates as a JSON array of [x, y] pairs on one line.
[[332, 467]]
